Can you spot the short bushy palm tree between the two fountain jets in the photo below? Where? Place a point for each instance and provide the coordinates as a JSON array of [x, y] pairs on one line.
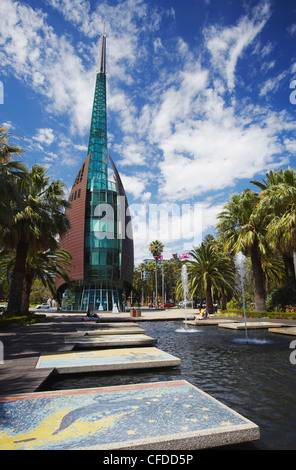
[[209, 270]]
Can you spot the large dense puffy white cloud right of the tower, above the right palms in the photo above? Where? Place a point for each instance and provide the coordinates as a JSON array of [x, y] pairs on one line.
[[219, 157]]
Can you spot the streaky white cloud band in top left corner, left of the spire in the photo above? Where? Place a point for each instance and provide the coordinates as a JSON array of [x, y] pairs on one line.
[[46, 62]]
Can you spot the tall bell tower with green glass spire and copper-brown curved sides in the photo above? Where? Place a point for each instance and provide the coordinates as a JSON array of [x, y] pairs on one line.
[[102, 252]]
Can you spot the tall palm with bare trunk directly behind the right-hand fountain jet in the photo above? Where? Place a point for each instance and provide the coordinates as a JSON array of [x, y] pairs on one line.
[[241, 229]]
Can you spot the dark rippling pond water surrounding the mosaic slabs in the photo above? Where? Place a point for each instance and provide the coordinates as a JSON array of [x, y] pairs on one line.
[[256, 379]]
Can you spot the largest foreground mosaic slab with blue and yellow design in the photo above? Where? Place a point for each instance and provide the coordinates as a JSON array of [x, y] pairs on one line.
[[157, 416]]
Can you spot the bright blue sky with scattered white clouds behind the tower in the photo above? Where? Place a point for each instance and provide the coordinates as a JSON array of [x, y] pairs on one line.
[[199, 95]]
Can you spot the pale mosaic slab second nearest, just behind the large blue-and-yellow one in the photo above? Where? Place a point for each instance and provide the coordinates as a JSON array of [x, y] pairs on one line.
[[106, 360]]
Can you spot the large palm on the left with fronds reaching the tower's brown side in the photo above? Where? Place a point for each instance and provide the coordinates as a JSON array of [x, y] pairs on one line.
[[35, 223]]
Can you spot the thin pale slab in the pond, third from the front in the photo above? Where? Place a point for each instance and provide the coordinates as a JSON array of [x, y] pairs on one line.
[[104, 341]]
